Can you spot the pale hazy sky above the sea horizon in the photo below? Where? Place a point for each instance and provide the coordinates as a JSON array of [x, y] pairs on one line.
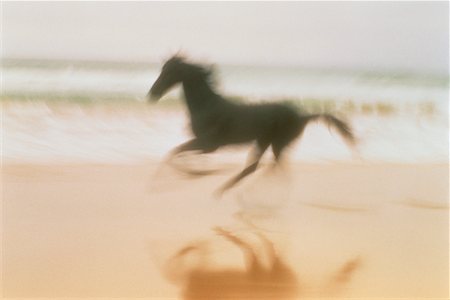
[[408, 36]]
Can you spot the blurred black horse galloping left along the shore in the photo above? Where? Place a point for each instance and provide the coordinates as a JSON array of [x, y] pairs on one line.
[[217, 122]]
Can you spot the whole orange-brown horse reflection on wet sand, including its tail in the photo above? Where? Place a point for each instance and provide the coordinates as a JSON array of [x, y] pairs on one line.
[[259, 278]]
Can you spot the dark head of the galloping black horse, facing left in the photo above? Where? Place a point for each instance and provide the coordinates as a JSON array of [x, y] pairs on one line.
[[172, 73]]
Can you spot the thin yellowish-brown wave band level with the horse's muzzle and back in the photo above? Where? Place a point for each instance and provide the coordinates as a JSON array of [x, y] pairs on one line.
[[308, 105]]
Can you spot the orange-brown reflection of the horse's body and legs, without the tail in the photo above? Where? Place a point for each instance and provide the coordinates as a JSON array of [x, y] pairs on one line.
[[256, 280]]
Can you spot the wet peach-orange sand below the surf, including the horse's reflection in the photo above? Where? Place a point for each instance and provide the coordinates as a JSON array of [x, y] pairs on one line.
[[345, 230]]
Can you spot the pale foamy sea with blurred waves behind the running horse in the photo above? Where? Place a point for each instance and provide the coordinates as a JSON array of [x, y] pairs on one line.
[[55, 111]]
